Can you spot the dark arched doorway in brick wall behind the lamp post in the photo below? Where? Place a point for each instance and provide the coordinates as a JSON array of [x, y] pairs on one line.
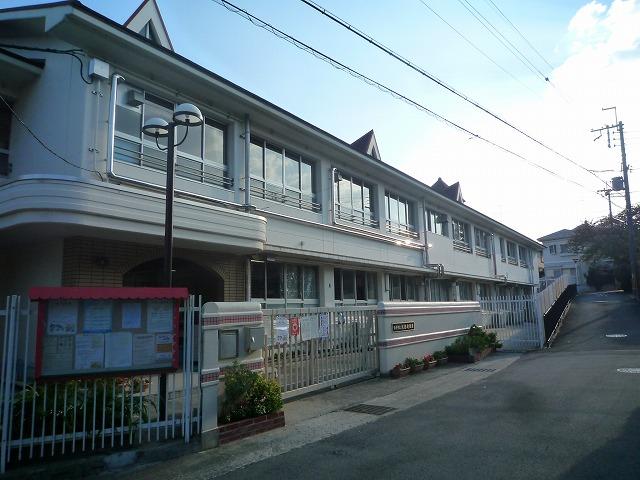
[[197, 279]]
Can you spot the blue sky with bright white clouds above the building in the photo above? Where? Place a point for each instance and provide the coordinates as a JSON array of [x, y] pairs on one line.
[[589, 51]]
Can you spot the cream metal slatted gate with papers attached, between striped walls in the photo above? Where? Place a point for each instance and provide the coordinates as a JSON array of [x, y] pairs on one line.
[[343, 350]]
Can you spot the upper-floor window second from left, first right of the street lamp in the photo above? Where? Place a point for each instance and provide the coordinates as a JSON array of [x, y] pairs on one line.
[[281, 175]]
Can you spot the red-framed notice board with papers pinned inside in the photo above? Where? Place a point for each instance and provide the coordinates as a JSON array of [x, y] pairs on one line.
[[96, 331]]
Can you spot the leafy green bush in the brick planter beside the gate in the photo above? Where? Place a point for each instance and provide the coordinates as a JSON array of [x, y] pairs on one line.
[[248, 394]]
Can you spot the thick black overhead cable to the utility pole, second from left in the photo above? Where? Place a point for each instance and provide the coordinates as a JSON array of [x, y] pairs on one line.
[[431, 77]]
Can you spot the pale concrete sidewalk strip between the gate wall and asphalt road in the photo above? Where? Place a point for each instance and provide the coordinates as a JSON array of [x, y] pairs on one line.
[[322, 415]]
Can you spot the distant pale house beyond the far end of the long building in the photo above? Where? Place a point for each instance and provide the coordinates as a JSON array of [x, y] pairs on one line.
[[559, 259]]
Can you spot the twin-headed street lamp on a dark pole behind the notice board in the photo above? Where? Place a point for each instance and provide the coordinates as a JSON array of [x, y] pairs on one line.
[[186, 115]]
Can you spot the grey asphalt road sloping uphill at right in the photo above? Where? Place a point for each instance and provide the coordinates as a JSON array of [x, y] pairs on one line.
[[565, 413]]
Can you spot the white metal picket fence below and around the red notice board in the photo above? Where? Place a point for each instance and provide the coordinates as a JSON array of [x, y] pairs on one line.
[[42, 419]]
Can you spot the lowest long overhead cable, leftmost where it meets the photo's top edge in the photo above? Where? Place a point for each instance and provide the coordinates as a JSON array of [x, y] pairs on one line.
[[336, 64]]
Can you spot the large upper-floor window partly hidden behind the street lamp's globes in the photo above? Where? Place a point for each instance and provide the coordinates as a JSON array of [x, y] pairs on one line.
[[200, 157]]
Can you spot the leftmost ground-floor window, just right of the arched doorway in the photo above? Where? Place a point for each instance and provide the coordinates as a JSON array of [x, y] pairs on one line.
[[277, 285]]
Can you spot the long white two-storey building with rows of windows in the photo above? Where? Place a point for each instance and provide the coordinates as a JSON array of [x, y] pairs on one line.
[[325, 222]]
